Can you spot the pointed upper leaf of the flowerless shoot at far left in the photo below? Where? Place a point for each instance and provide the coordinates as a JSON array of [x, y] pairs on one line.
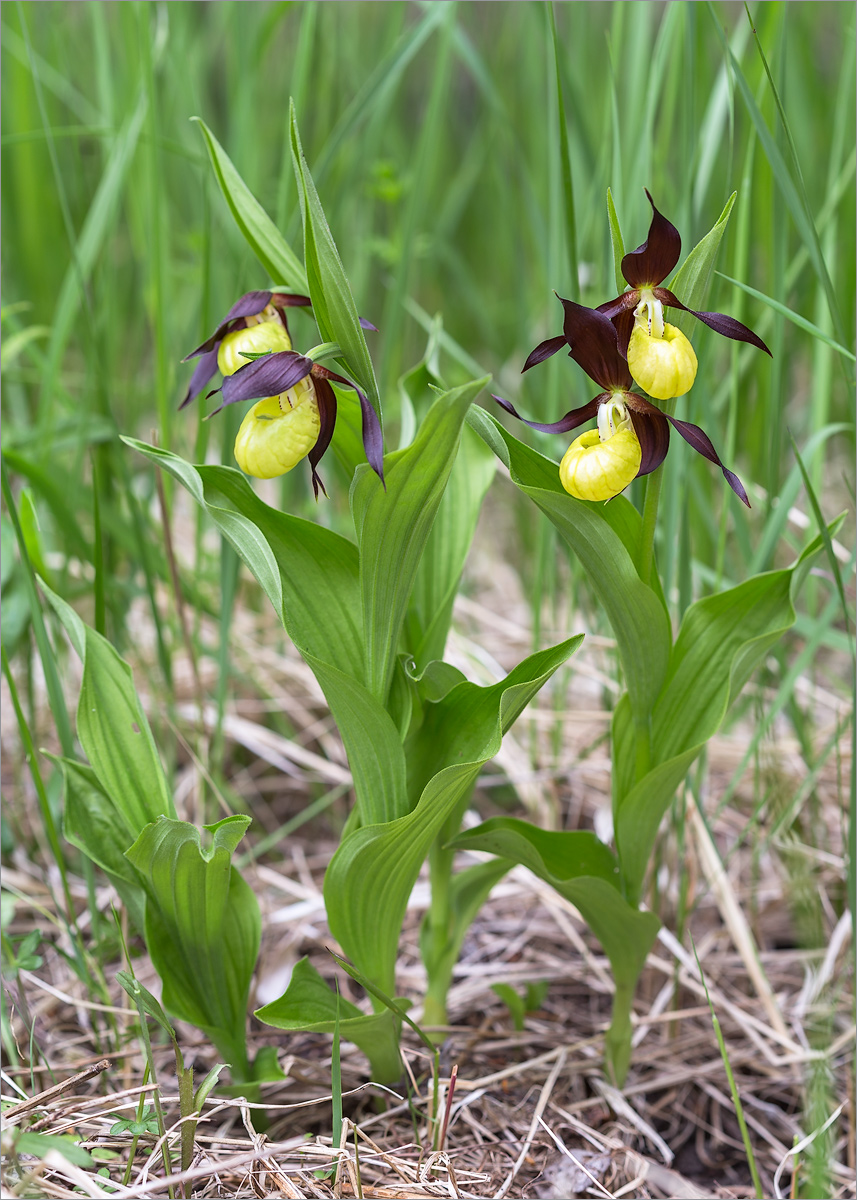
[[113, 729]]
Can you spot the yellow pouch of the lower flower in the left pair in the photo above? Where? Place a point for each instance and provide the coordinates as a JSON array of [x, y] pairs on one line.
[[278, 433]]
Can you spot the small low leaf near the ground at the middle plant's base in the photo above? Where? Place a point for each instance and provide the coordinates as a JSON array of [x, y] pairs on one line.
[[310, 1006]]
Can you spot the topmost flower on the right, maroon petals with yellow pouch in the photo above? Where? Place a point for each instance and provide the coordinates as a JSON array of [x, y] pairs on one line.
[[661, 358]]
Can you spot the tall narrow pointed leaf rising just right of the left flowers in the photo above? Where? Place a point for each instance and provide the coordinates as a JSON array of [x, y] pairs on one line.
[[333, 304]]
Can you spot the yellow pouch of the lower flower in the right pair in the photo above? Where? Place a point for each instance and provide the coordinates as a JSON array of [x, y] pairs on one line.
[[602, 463]]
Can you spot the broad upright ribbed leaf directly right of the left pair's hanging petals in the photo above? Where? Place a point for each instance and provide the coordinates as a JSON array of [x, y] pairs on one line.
[[393, 526]]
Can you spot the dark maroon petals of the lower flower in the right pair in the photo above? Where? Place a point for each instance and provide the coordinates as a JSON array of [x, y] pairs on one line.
[[596, 347]]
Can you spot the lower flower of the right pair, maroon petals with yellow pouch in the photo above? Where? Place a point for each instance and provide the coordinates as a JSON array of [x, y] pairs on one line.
[[633, 435]]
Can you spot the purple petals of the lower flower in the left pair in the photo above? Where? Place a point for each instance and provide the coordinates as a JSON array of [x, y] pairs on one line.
[[277, 374]]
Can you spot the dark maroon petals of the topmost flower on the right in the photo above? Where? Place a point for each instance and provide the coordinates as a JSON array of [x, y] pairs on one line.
[[645, 269]]
